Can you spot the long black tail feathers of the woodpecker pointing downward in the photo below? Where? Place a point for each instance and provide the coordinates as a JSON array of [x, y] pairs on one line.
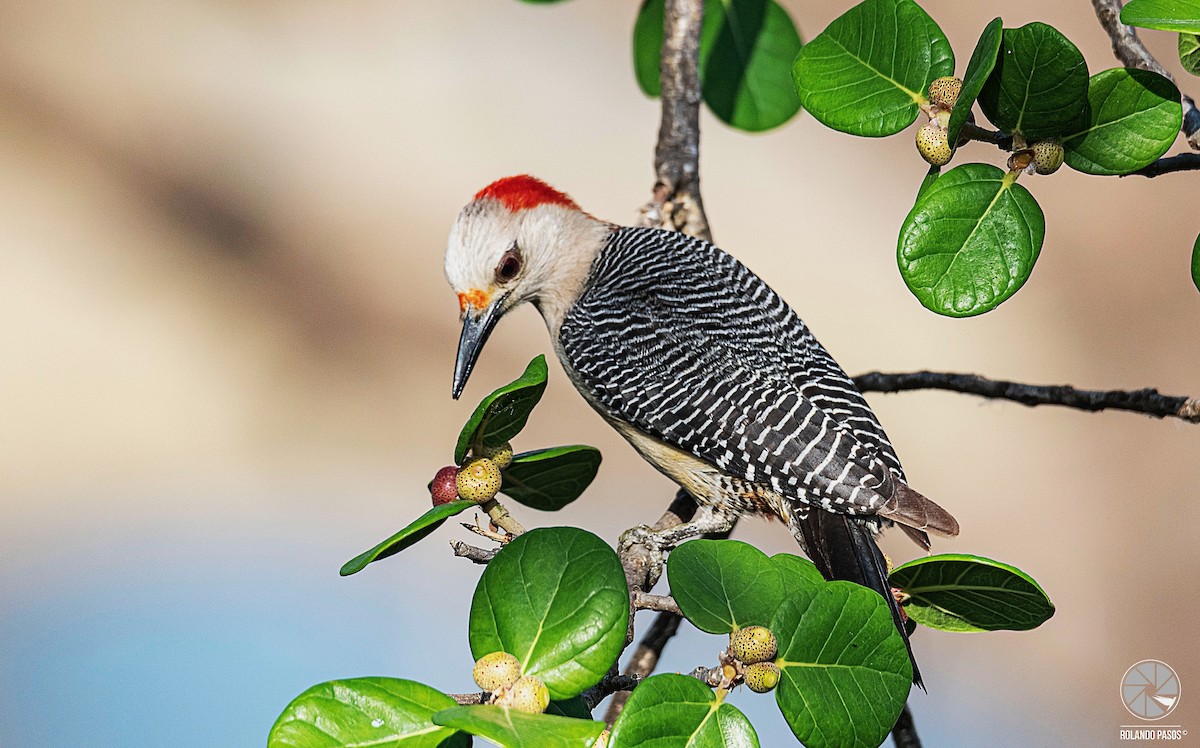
[[843, 548]]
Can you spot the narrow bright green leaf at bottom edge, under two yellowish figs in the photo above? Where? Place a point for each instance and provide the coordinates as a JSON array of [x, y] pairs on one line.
[[511, 728]]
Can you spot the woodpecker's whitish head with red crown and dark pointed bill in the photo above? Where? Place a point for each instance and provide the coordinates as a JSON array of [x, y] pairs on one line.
[[518, 241]]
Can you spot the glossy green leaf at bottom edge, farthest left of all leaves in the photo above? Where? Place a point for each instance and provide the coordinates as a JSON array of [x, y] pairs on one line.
[[386, 713]]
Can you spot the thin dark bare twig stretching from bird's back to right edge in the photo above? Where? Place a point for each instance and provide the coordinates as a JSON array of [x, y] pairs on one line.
[[1147, 402]]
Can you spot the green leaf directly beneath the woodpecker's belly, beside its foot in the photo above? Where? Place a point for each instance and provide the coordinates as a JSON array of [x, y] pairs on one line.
[[724, 585]]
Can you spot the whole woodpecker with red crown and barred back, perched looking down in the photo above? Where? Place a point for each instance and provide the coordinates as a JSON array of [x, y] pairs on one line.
[[701, 367]]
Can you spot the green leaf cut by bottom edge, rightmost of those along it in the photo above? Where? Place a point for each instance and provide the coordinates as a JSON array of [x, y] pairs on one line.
[[677, 711]]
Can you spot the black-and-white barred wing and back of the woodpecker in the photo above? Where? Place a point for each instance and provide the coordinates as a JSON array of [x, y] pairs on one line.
[[686, 344]]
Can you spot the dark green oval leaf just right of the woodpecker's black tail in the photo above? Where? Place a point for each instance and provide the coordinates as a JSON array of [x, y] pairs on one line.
[[957, 593]]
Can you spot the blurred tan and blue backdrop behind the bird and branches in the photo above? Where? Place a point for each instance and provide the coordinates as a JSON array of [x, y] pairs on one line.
[[229, 344]]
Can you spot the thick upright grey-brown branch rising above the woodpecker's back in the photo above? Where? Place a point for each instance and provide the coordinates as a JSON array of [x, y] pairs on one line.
[[676, 202]]
